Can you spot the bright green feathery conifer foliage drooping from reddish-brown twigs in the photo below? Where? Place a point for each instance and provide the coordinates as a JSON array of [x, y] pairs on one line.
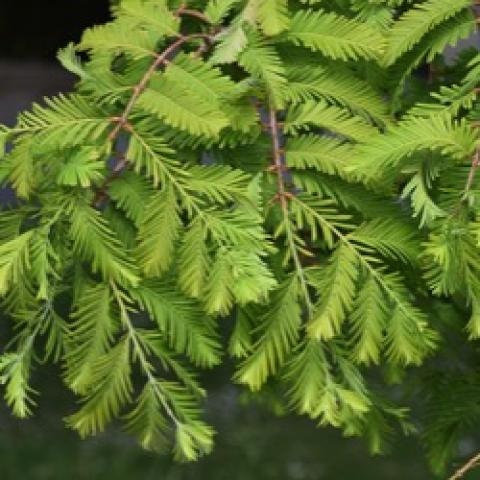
[[281, 171]]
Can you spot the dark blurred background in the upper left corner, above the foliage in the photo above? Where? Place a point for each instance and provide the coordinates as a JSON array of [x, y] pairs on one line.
[[31, 33]]
